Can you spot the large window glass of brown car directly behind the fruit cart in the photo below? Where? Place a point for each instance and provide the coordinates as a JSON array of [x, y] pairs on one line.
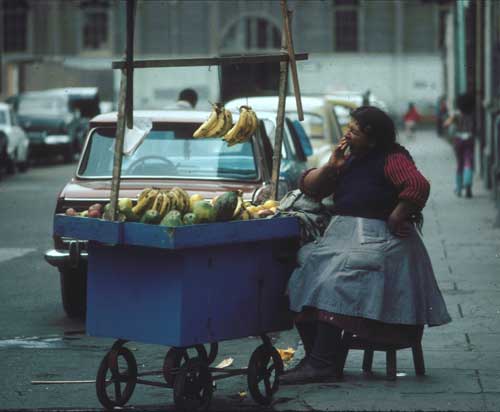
[[170, 152]]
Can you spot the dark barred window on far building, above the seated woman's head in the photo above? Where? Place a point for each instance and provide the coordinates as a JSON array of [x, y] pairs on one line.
[[346, 25]]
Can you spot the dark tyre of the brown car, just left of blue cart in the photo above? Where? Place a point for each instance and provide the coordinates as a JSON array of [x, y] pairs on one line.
[[74, 292]]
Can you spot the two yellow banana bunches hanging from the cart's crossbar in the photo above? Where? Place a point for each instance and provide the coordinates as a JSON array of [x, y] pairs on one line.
[[220, 124]]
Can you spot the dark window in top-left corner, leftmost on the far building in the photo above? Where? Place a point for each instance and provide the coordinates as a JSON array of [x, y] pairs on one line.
[[15, 25]]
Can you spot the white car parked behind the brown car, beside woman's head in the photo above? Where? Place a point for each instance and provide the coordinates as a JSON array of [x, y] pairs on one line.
[[320, 121]]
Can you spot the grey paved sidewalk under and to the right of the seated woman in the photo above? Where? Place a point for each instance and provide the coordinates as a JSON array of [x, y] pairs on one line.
[[462, 358]]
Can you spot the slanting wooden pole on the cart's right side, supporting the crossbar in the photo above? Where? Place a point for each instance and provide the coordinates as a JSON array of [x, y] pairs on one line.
[[280, 118]]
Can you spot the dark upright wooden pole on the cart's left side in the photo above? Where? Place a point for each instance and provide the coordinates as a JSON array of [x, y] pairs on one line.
[[125, 112]]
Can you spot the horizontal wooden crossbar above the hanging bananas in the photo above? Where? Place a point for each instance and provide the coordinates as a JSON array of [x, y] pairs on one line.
[[209, 61]]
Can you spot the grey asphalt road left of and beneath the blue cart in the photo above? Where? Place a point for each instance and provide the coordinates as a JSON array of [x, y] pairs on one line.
[[39, 343]]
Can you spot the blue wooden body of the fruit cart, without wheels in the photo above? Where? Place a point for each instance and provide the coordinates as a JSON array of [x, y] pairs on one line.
[[190, 285]]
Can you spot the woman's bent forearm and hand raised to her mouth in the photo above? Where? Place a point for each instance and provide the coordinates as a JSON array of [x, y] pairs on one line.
[[320, 182]]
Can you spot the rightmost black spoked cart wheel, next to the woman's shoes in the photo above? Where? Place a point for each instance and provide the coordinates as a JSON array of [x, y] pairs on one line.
[[264, 368]]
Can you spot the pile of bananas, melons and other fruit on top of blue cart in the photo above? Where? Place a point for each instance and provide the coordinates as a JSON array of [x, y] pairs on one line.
[[176, 208]]
